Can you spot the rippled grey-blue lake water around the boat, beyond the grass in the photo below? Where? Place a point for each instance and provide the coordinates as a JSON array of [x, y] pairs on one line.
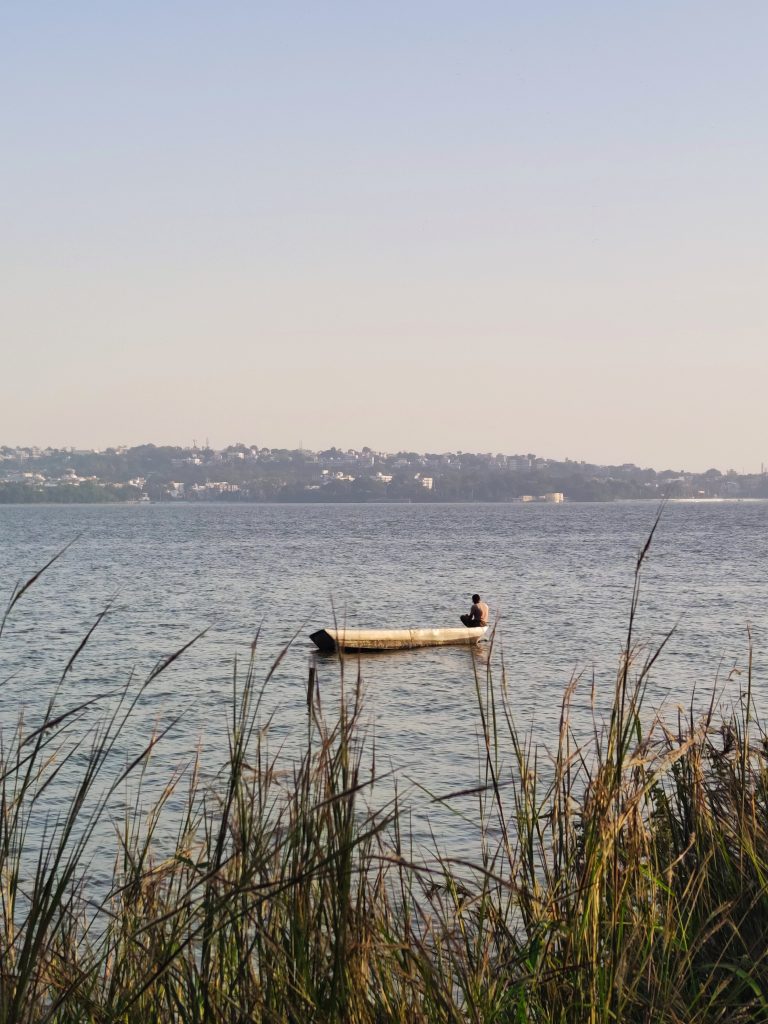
[[559, 578]]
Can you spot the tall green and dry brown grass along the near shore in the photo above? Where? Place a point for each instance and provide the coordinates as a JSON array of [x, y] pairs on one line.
[[623, 877]]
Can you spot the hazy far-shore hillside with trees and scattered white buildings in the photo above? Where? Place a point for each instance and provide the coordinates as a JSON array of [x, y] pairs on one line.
[[250, 474]]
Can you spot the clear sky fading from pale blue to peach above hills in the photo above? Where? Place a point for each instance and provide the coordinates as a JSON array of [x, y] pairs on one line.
[[488, 227]]
